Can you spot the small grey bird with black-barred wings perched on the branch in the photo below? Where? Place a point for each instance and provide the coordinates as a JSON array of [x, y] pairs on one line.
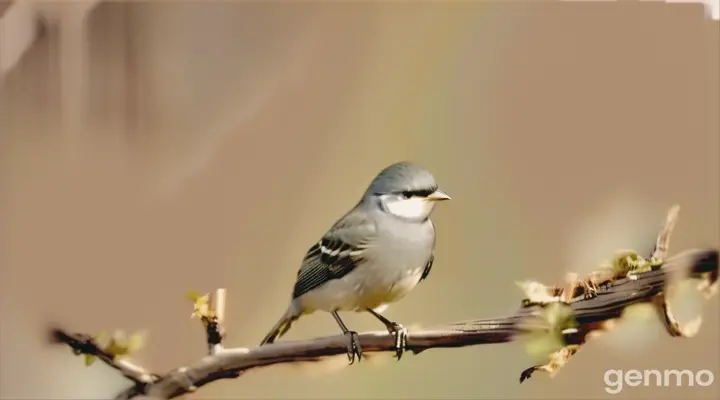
[[373, 256]]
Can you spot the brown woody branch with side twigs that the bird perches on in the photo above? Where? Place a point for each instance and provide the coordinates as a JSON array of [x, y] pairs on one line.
[[588, 313]]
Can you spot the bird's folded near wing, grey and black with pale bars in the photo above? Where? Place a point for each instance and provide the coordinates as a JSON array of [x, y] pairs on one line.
[[337, 253]]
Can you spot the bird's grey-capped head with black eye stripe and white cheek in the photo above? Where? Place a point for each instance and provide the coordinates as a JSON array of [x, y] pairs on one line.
[[406, 190]]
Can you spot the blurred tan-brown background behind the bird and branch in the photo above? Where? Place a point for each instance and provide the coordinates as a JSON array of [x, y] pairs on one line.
[[150, 148]]
